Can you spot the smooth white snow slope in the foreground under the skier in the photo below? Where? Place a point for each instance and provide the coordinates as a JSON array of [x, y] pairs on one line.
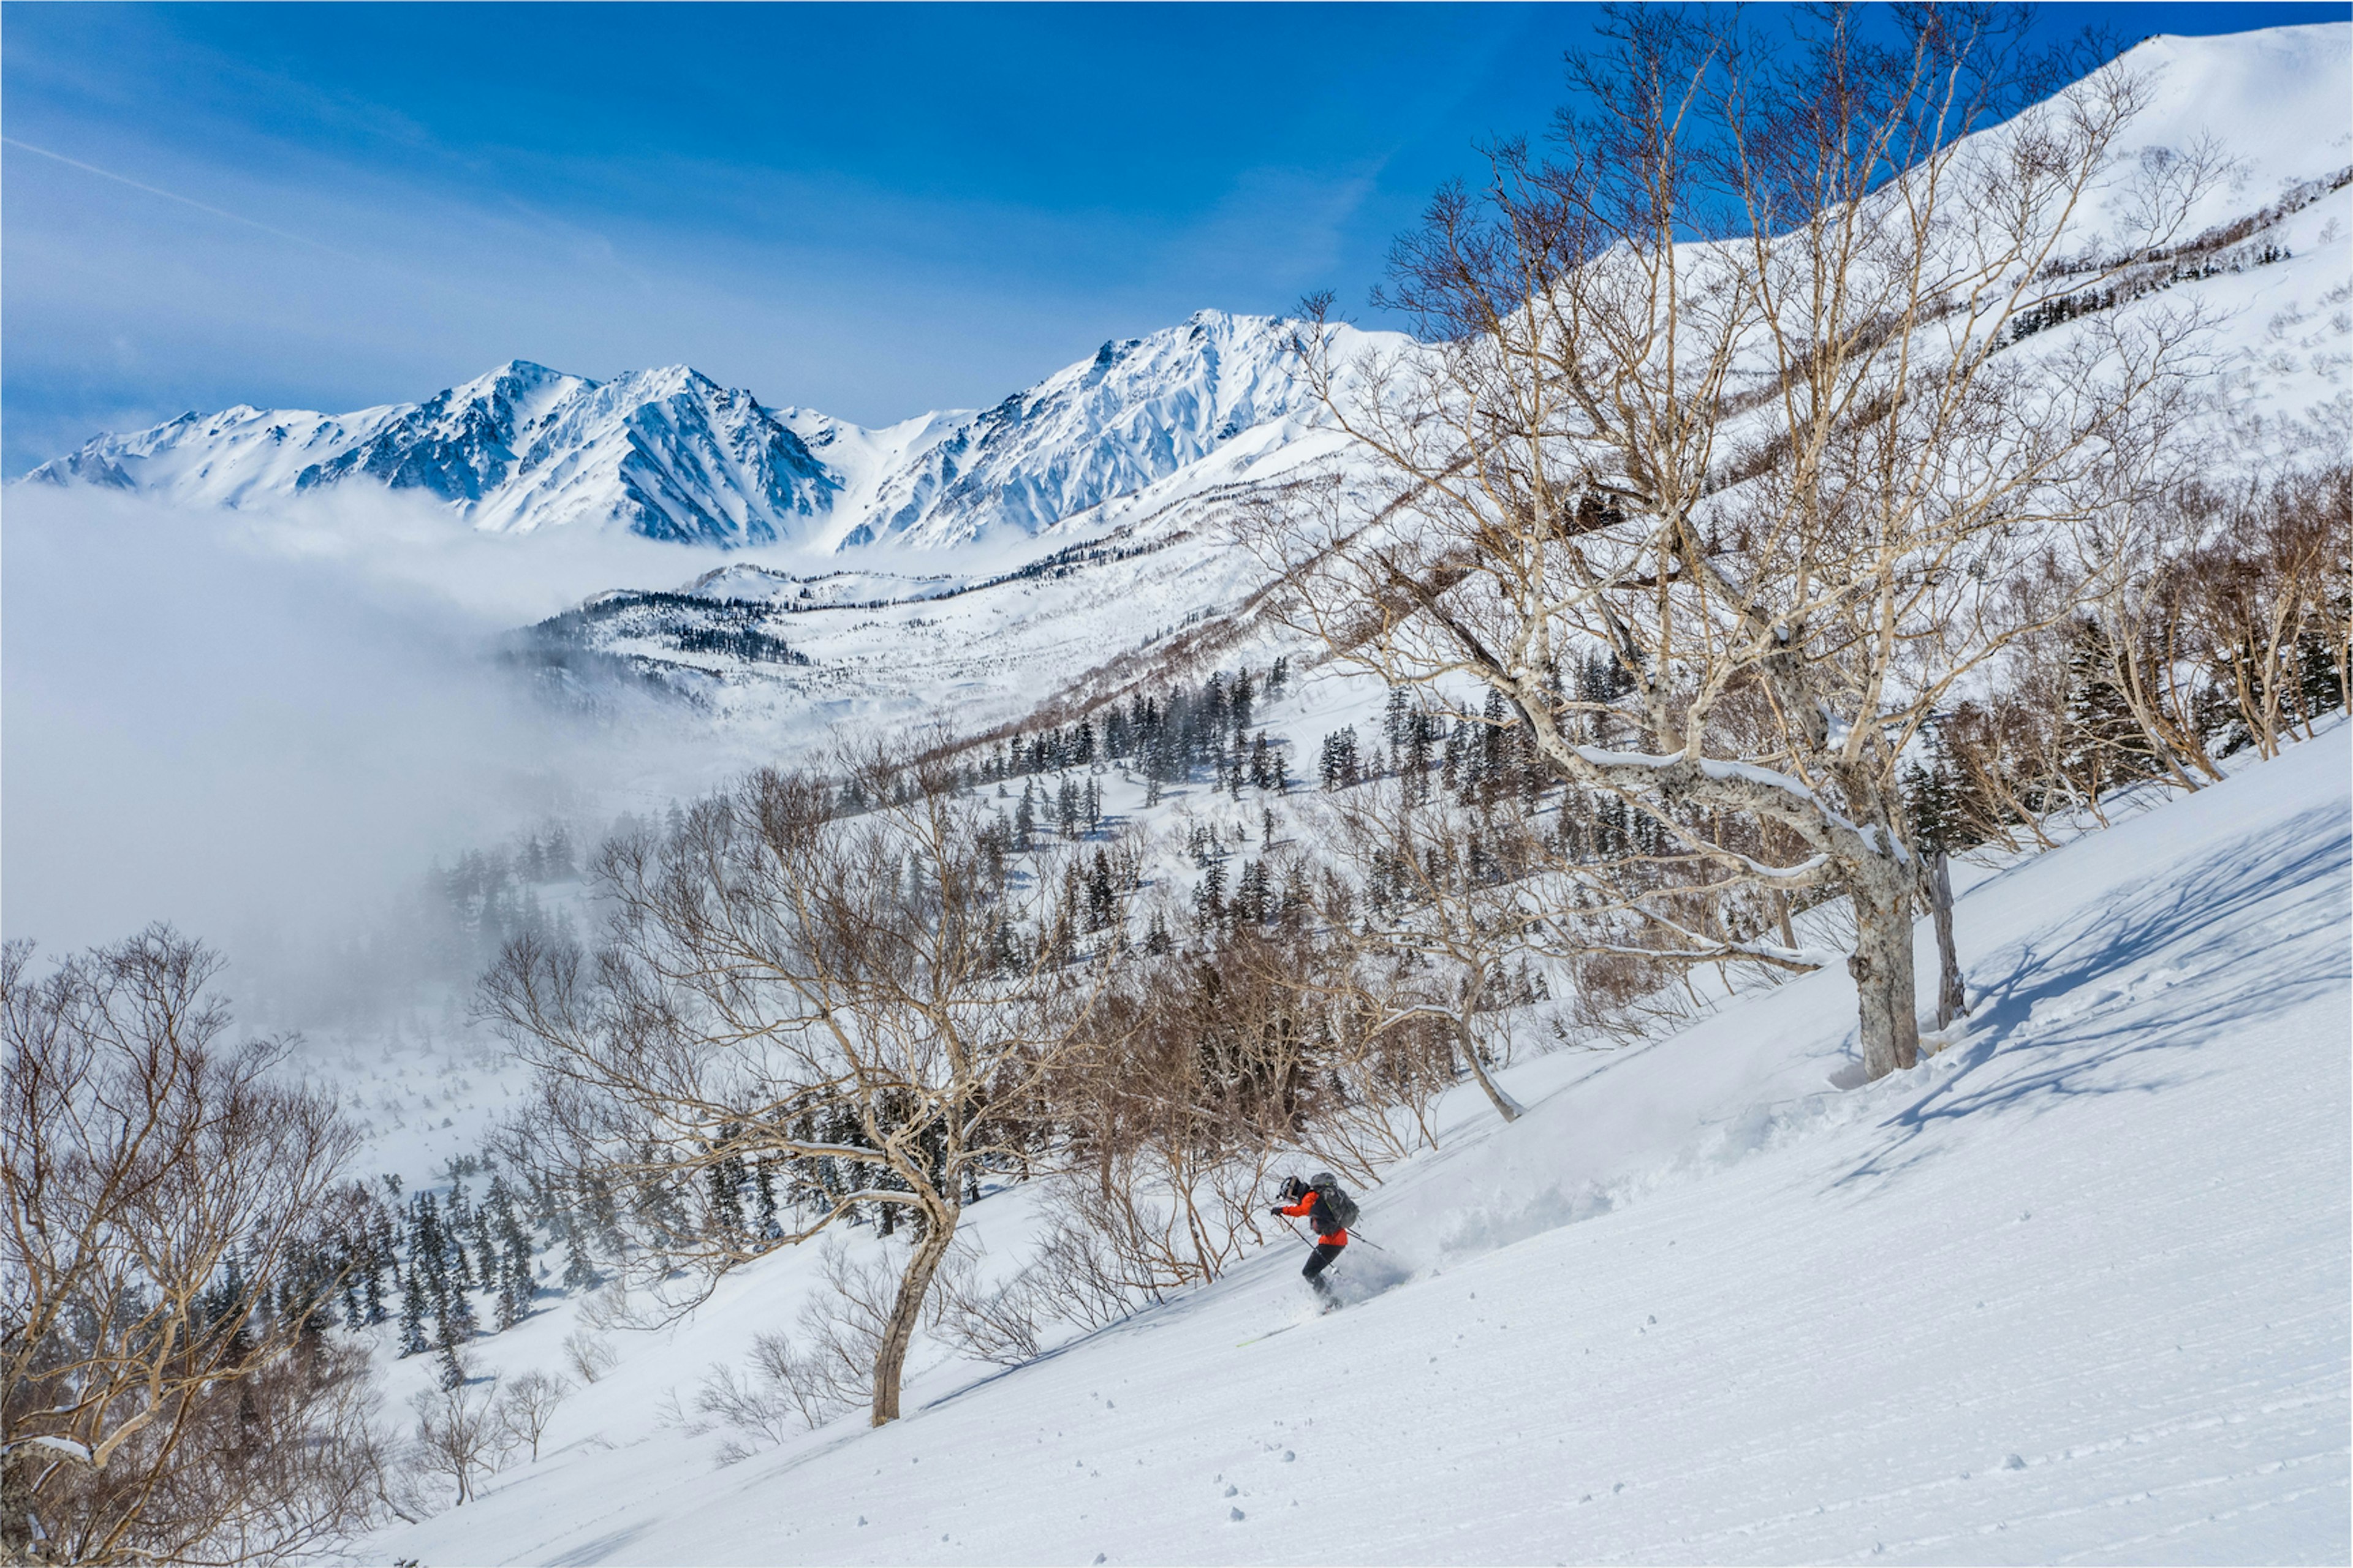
[[2074, 1289]]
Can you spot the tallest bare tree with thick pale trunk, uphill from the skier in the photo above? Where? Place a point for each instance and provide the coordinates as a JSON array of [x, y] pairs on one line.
[[1733, 392]]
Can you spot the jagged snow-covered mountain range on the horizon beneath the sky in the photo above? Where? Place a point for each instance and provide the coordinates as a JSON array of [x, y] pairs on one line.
[[672, 456]]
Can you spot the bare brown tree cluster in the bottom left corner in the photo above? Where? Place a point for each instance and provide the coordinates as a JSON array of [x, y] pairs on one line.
[[171, 1254]]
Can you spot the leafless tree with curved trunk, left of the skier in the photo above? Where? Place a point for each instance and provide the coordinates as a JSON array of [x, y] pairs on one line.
[[780, 978]]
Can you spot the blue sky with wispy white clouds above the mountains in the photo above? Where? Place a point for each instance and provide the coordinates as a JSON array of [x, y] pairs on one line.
[[869, 211]]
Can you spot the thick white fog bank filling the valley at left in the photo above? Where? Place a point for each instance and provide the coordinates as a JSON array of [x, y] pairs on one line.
[[265, 726]]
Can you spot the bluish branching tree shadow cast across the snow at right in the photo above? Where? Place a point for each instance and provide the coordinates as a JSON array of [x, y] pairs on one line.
[[2248, 931]]
